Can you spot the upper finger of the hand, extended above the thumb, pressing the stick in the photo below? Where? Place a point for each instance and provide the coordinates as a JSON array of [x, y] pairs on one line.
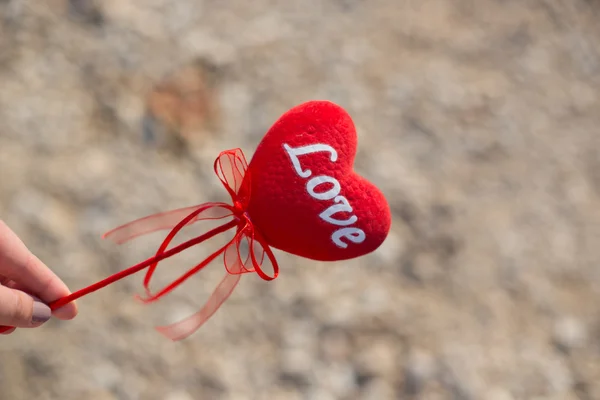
[[33, 276]]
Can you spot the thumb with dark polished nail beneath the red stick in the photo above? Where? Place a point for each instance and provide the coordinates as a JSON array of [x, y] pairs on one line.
[[19, 309]]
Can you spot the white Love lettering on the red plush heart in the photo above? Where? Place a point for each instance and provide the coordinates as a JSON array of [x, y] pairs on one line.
[[353, 234]]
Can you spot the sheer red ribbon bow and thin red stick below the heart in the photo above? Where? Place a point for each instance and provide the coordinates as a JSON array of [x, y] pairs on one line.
[[232, 169]]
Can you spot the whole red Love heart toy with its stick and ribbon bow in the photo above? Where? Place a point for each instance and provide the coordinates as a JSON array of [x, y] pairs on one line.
[[298, 194]]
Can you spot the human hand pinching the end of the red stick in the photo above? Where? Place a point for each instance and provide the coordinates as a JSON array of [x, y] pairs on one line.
[[27, 285]]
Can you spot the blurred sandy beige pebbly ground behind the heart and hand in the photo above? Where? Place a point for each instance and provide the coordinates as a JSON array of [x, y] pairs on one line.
[[479, 120]]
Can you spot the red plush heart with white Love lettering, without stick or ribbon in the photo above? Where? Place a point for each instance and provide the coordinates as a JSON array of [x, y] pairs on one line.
[[306, 198]]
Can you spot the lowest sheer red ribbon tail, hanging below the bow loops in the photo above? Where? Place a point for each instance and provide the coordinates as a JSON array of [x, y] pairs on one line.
[[184, 328]]
